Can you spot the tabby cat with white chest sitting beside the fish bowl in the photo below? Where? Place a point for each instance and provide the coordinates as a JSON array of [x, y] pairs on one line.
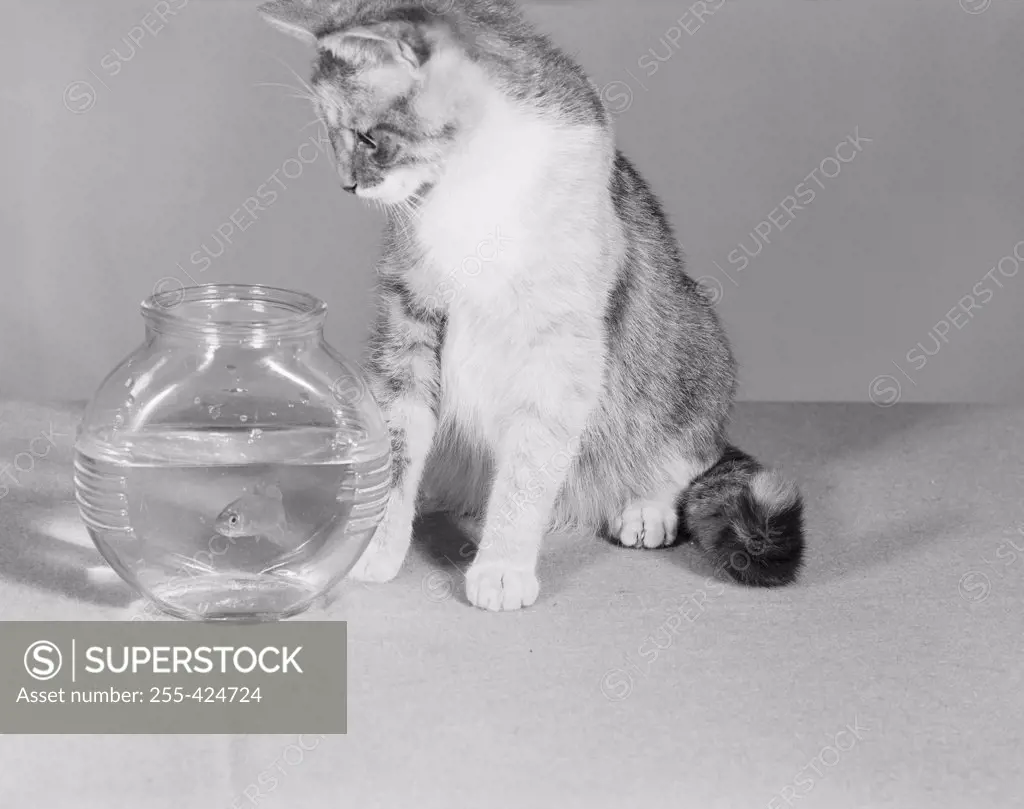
[[540, 354]]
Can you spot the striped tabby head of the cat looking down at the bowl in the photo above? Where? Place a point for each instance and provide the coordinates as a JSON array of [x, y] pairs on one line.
[[377, 89]]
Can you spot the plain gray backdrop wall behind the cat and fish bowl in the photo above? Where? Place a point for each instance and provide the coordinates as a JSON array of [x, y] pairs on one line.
[[103, 203]]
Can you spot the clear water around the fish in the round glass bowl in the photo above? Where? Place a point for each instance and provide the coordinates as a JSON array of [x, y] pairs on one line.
[[151, 502]]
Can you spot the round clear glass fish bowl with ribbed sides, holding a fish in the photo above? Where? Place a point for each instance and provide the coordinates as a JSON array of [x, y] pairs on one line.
[[234, 466]]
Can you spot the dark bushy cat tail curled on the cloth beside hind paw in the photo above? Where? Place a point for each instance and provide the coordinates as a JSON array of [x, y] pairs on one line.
[[747, 519]]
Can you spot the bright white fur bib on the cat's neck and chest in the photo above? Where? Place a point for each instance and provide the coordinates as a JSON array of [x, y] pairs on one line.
[[494, 232]]
